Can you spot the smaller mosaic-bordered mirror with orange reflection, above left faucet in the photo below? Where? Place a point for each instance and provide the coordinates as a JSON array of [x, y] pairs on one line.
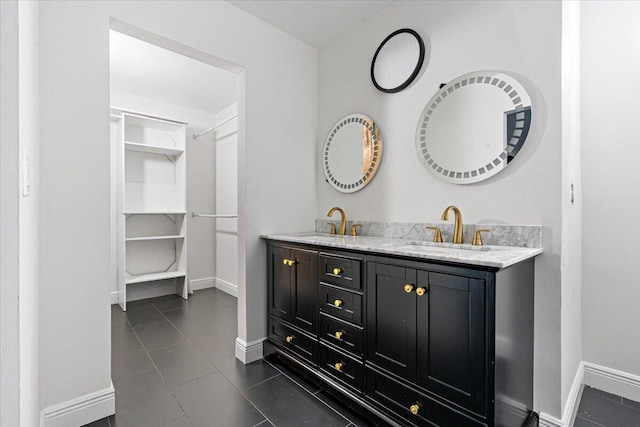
[[352, 153]]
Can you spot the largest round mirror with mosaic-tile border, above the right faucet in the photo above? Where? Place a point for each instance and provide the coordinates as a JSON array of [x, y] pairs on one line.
[[473, 127]]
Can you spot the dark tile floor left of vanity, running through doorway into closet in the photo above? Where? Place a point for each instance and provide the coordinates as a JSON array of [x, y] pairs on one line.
[[173, 365]]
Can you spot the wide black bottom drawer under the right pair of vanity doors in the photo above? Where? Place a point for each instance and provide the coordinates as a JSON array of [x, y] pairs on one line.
[[402, 400]]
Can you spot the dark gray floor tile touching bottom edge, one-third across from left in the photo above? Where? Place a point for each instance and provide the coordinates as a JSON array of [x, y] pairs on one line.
[[214, 398]]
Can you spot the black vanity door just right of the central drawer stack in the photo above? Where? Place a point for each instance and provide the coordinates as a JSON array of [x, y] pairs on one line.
[[391, 319]]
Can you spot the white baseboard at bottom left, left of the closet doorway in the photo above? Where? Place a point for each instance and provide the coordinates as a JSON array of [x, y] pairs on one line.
[[81, 410]]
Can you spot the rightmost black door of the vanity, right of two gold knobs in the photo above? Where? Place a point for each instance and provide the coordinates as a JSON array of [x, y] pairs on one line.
[[451, 338]]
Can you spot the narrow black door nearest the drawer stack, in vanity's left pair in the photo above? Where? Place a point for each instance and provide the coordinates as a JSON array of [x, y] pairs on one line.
[[304, 296]]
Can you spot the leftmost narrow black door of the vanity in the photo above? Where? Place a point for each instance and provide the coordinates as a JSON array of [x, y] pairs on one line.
[[280, 282]]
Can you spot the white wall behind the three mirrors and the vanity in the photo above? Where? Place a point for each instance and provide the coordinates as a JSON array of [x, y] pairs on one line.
[[519, 37]]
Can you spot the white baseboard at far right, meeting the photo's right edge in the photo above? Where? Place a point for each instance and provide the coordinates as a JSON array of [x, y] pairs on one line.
[[612, 381]]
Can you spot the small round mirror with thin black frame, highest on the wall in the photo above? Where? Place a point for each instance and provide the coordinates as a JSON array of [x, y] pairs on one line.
[[397, 61]]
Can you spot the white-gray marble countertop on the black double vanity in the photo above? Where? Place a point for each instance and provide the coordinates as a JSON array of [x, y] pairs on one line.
[[488, 255]]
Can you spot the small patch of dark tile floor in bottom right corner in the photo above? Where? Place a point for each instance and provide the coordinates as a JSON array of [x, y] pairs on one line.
[[600, 409]]
